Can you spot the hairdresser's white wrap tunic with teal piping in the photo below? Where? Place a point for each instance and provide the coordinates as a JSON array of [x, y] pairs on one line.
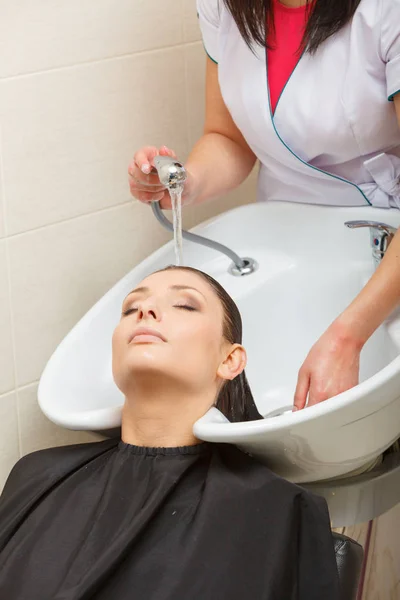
[[334, 138]]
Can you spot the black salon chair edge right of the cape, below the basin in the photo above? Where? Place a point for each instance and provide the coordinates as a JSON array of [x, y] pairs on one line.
[[349, 559]]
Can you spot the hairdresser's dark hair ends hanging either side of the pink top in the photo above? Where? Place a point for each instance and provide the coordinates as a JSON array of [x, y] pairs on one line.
[[326, 17]]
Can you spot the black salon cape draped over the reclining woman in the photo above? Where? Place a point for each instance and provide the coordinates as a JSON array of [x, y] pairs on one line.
[[111, 521]]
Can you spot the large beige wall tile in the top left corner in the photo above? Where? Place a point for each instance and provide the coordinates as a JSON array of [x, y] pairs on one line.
[[40, 35]]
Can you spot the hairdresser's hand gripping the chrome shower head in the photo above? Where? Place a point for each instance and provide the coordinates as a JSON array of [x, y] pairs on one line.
[[147, 187]]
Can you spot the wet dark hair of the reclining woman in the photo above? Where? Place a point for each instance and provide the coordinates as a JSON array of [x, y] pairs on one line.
[[235, 399]]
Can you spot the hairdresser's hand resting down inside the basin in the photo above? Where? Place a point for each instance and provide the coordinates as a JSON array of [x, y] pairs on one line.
[[331, 367]]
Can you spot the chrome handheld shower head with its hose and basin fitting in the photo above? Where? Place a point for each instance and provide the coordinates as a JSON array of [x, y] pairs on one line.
[[173, 175]]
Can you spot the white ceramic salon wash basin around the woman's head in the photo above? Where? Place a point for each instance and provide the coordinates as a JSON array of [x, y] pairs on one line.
[[310, 268]]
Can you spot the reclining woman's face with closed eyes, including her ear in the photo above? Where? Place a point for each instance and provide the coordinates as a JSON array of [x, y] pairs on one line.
[[172, 325]]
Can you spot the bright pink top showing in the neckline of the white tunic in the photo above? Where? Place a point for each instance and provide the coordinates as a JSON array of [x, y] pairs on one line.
[[284, 55]]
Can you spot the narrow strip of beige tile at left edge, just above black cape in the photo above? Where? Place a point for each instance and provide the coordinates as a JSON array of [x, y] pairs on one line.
[[9, 445]]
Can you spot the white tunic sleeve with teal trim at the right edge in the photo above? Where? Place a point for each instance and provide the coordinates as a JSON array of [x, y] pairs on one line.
[[390, 40]]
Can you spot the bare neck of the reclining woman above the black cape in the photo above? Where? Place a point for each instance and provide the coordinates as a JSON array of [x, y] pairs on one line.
[[162, 417]]
